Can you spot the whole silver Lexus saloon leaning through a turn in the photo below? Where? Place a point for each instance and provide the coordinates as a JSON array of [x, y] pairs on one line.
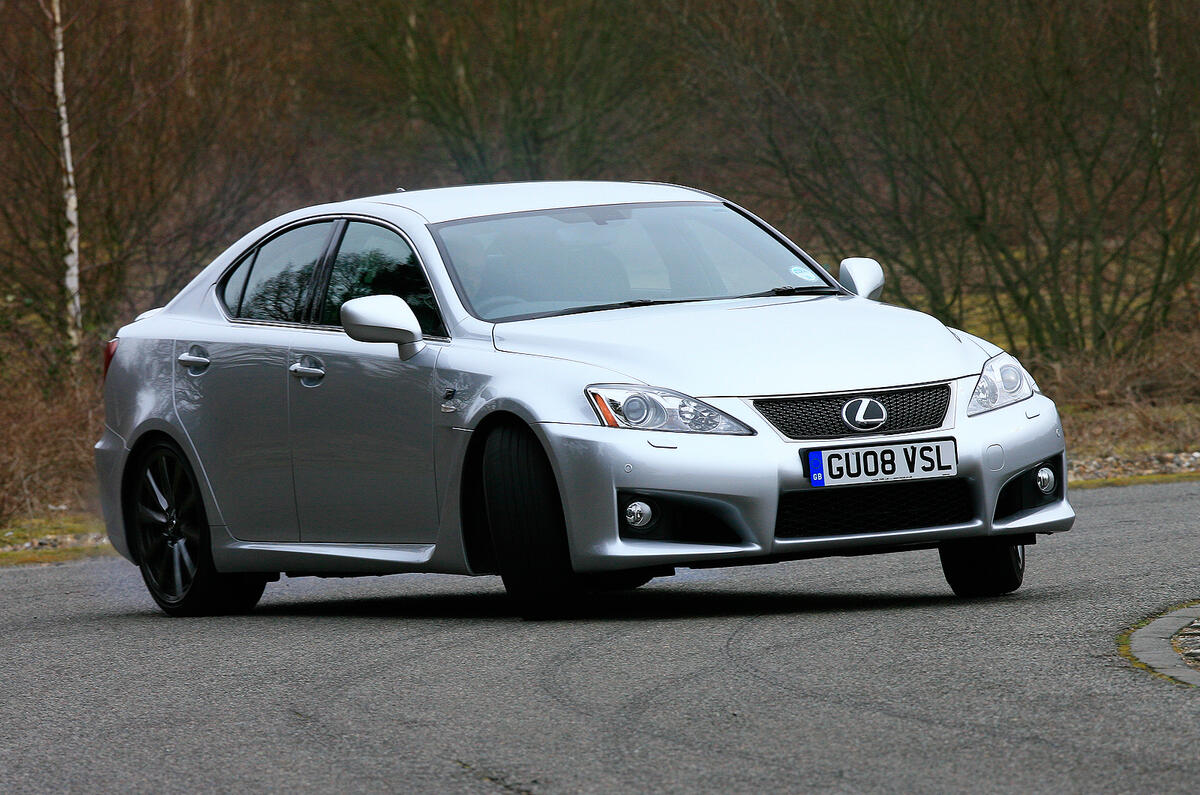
[[575, 386]]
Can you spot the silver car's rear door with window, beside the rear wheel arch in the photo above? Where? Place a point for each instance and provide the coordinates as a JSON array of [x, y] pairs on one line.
[[232, 380]]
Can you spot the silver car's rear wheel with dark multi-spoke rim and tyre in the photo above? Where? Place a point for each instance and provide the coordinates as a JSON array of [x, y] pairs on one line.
[[170, 535]]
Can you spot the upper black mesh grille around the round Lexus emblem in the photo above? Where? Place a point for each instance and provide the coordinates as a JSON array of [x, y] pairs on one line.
[[919, 409]]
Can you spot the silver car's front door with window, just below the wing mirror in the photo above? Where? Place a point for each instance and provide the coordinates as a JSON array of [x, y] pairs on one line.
[[362, 431]]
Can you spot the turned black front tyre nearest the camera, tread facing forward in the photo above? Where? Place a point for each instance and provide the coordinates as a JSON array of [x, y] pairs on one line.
[[526, 518]]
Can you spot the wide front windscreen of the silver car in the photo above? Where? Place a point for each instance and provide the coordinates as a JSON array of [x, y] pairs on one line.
[[554, 262]]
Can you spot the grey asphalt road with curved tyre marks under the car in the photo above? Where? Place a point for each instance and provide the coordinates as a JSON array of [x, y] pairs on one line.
[[841, 674]]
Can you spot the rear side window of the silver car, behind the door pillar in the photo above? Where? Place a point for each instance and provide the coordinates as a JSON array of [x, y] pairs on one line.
[[279, 278]]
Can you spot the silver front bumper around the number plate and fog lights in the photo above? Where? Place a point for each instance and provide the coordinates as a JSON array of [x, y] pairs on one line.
[[741, 479]]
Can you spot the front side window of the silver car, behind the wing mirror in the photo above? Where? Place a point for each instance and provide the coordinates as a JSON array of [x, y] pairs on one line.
[[374, 261]]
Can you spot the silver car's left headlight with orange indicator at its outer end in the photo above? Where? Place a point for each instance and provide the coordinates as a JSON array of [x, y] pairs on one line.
[[651, 409]]
